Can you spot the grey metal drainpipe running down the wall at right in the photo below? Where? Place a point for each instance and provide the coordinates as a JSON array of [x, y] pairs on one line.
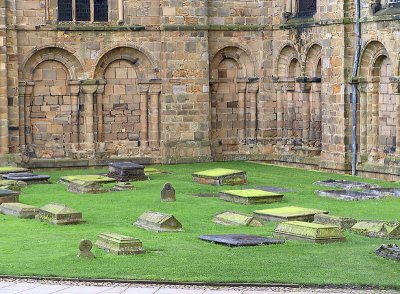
[[354, 89]]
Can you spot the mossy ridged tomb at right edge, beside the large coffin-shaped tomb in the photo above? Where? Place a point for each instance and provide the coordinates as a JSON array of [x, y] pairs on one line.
[[377, 229]]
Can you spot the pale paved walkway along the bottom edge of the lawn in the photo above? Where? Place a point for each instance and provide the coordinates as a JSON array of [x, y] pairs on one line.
[[50, 287]]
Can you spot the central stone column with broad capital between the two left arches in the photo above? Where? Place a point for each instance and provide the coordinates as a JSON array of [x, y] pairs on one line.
[[88, 89]]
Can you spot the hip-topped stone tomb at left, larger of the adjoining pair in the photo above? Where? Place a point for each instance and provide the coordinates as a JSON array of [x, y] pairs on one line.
[[59, 214]]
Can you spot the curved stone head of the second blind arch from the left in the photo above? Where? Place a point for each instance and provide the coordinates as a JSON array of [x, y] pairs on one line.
[[143, 65]]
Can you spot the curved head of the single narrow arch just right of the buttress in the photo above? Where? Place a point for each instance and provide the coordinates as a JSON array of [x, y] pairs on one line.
[[239, 56]]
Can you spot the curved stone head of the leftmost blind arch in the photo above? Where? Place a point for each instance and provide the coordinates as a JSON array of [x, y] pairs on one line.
[[61, 55]]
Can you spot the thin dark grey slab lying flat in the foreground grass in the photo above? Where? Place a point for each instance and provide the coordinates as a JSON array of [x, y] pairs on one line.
[[240, 240]]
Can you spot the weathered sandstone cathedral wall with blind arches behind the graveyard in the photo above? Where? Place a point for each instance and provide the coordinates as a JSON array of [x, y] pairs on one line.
[[84, 82]]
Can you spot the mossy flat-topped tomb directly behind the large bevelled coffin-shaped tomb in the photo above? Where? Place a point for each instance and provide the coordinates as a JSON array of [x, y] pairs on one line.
[[288, 213]]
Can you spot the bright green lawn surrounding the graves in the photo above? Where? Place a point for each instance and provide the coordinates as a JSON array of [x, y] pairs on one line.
[[30, 247]]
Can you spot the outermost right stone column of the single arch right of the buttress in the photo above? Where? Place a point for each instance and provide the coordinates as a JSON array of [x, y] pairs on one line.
[[251, 121]]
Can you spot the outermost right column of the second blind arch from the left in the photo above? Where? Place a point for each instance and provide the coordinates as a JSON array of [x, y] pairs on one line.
[[154, 115]]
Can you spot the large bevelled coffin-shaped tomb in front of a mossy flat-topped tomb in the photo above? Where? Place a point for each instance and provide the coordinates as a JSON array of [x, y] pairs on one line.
[[309, 230]]
